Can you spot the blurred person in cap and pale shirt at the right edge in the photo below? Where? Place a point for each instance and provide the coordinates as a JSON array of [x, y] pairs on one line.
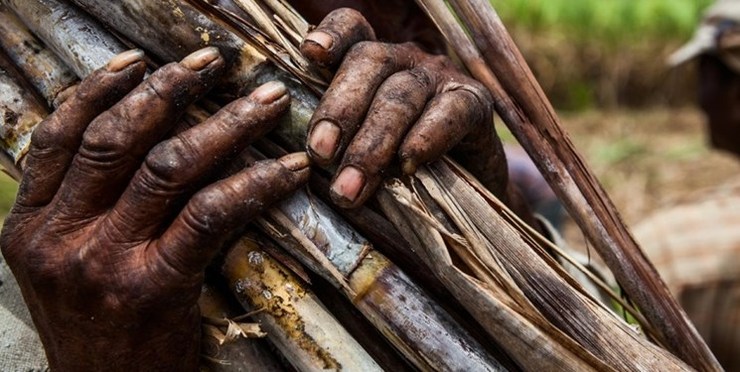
[[695, 244]]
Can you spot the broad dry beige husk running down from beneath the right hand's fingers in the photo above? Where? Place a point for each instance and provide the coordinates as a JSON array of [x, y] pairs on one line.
[[502, 257]]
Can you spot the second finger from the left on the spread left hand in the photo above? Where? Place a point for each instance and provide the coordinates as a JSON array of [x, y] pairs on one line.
[[115, 143]]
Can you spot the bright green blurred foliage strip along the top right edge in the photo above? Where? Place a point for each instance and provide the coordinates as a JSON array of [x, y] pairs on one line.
[[608, 20]]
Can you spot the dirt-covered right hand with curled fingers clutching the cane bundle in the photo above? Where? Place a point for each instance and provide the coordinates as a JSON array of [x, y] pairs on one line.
[[395, 102]]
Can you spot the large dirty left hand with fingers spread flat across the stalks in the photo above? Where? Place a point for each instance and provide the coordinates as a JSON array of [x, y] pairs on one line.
[[110, 235]]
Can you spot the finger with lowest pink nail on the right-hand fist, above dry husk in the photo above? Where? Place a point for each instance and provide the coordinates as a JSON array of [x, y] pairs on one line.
[[397, 105]]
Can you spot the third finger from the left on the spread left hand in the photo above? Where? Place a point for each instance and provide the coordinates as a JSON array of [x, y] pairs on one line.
[[173, 166]]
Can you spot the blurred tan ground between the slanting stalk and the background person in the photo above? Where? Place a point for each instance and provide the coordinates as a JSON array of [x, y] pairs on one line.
[[648, 159]]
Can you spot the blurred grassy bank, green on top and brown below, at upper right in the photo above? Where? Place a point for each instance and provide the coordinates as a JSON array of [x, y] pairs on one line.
[[606, 53]]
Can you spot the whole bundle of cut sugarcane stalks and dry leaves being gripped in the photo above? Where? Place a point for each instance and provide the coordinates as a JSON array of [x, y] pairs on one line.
[[484, 262]]
